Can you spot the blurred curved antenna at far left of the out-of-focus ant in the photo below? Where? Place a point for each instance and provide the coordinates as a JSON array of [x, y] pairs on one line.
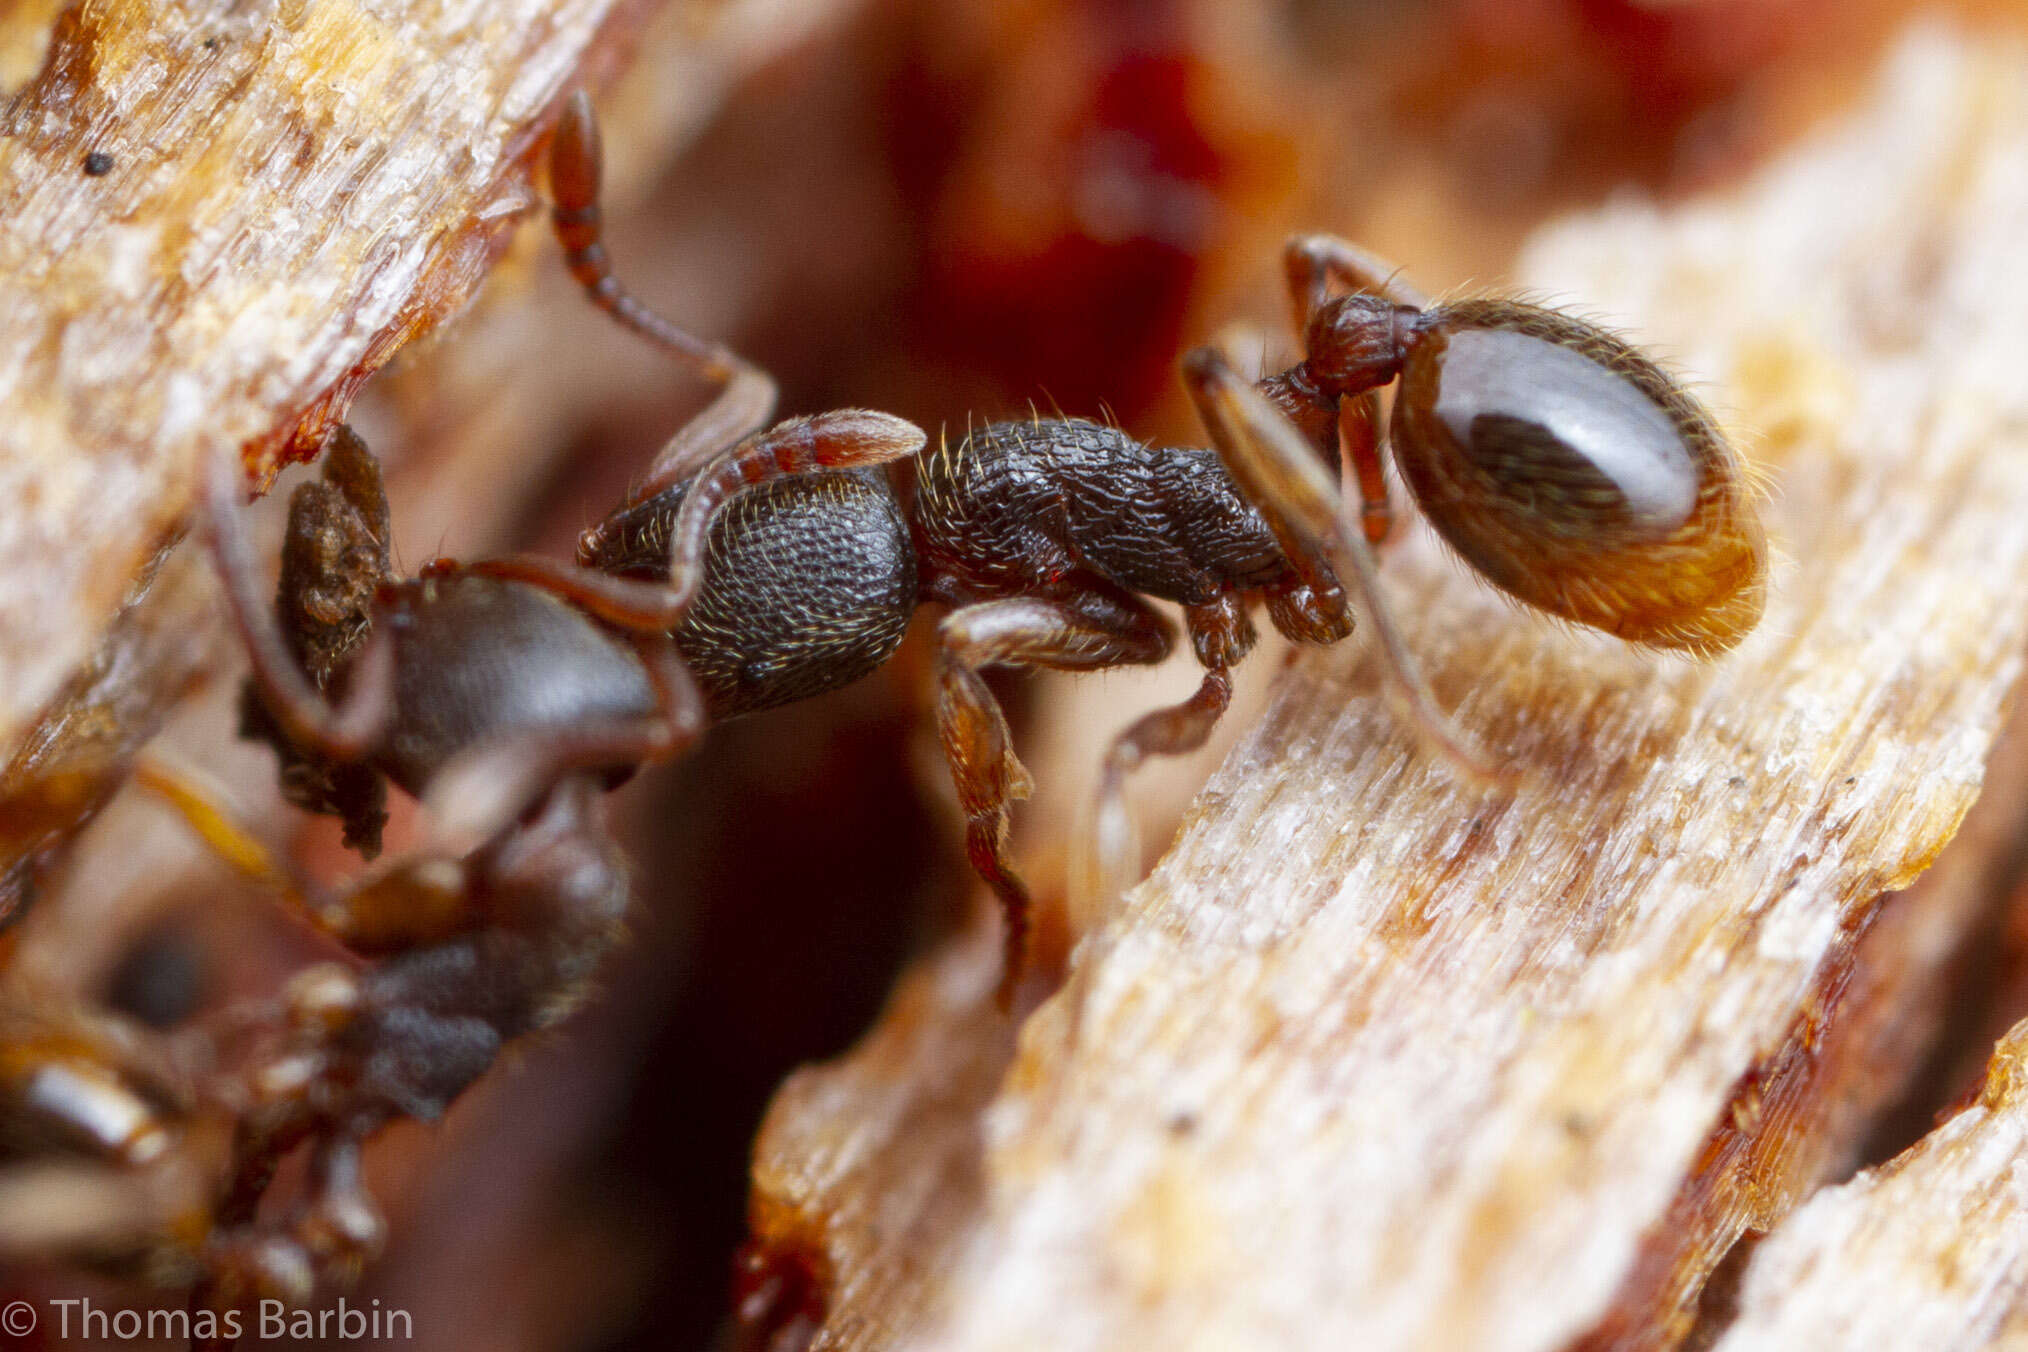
[[340, 735]]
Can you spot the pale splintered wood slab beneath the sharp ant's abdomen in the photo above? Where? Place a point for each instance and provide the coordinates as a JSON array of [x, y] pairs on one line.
[[1378, 1063]]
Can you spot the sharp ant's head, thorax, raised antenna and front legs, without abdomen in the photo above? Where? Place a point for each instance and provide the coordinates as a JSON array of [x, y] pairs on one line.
[[1043, 538]]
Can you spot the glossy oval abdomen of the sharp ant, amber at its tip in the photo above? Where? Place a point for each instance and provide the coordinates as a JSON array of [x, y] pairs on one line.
[[1579, 477]]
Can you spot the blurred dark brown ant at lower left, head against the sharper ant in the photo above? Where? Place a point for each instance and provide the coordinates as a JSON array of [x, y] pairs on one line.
[[510, 700]]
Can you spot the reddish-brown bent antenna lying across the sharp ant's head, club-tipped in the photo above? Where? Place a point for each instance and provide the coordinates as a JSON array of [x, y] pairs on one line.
[[839, 441]]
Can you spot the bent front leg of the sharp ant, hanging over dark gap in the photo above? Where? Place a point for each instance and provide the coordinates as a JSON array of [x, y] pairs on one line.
[[1084, 633]]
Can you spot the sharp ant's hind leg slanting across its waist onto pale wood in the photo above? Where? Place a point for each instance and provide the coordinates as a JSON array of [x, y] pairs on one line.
[[1281, 475]]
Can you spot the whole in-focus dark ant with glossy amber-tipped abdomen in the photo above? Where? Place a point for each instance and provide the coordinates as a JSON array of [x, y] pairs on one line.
[[1556, 459]]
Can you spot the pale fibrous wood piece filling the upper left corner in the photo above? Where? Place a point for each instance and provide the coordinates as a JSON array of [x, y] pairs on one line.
[[293, 192]]
